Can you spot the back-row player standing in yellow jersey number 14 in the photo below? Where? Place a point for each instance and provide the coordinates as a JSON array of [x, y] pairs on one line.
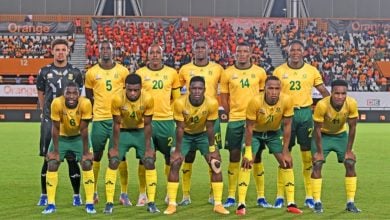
[[239, 84]]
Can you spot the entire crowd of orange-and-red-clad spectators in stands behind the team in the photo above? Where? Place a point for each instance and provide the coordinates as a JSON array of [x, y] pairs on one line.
[[348, 56]]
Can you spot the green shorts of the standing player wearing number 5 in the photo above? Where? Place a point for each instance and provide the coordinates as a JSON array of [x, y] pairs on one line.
[[101, 131]]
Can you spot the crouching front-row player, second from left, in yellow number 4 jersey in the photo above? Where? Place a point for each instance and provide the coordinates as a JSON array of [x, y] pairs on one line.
[[132, 112]]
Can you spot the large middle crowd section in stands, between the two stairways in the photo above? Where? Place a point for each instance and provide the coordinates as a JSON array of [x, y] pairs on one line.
[[131, 43]]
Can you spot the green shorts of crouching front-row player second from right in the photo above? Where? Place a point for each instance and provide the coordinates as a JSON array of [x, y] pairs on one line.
[[273, 140]]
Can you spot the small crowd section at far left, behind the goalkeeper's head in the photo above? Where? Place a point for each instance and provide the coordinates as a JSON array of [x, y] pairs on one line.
[[33, 46]]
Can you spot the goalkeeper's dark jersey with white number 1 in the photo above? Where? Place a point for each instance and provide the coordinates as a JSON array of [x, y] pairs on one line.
[[51, 80]]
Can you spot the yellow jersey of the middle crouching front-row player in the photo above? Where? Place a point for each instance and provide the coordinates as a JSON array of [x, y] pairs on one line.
[[195, 117]]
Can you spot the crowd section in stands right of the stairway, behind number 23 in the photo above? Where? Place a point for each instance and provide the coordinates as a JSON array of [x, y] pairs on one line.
[[348, 56]]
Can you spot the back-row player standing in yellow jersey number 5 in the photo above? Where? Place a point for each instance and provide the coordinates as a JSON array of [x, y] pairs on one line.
[[103, 81]]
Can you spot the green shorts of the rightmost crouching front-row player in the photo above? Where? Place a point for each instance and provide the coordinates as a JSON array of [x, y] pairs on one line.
[[332, 142]]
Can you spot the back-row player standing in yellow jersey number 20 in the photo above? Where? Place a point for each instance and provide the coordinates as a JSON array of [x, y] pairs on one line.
[[162, 82]]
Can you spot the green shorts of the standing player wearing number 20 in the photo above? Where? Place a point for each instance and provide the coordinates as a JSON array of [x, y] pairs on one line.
[[164, 136]]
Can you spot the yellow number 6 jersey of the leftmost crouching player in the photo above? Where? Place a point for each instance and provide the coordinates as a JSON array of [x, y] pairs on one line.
[[70, 118]]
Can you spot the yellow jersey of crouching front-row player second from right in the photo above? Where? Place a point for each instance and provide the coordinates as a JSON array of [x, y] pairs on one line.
[[269, 117]]
